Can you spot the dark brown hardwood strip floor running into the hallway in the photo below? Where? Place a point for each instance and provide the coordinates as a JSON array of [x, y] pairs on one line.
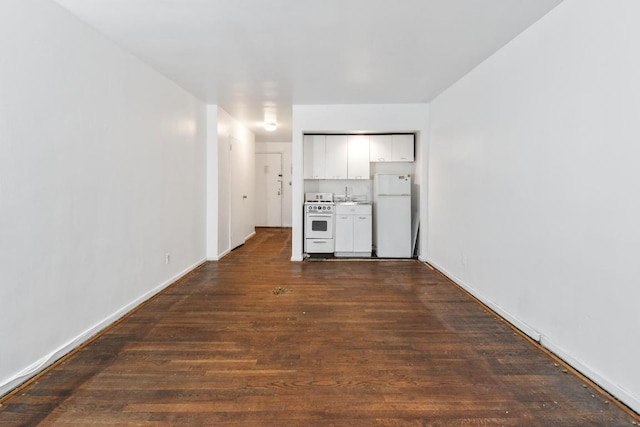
[[348, 343]]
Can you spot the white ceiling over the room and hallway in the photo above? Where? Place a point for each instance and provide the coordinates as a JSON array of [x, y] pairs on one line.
[[253, 57]]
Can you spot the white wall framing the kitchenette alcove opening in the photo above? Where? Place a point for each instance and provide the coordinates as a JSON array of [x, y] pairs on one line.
[[349, 118]]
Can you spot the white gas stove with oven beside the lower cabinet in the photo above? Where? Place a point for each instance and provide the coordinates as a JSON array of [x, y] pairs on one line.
[[319, 218]]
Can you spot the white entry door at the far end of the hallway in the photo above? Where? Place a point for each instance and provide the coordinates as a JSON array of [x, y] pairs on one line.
[[268, 200]]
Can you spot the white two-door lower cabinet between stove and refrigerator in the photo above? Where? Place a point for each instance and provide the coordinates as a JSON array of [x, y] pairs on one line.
[[353, 230]]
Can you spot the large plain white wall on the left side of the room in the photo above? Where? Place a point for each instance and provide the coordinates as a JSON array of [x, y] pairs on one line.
[[102, 172]]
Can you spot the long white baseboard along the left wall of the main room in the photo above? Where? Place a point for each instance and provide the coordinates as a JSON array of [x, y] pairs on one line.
[[39, 365]]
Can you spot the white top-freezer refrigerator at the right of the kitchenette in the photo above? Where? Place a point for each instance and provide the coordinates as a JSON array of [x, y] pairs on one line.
[[392, 215]]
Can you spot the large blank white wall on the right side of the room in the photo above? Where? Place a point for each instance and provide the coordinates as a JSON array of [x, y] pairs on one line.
[[534, 186]]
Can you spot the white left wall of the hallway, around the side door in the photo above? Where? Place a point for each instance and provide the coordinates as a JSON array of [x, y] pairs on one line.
[[218, 176]]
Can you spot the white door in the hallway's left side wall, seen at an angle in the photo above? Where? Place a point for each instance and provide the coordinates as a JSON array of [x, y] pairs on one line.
[[237, 195]]
